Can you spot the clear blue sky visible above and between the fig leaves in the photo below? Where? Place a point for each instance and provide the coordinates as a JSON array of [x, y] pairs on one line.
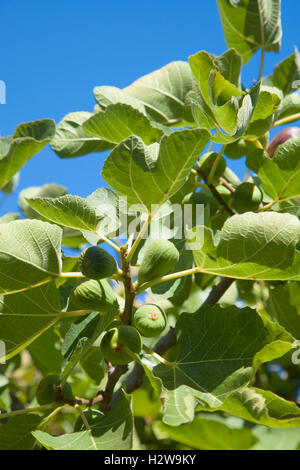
[[54, 52]]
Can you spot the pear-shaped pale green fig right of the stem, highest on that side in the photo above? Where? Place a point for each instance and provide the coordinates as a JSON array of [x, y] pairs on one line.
[[160, 257]]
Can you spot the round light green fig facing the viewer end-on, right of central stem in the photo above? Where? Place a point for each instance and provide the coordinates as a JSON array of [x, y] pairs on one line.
[[149, 320]]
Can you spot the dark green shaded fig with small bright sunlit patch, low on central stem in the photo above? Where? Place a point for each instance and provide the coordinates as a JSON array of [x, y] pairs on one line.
[[116, 342]]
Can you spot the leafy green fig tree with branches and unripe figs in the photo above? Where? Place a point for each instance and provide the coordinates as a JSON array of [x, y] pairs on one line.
[[214, 295]]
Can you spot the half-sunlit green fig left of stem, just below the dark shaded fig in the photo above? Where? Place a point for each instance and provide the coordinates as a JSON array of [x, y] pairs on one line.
[[94, 295]]
